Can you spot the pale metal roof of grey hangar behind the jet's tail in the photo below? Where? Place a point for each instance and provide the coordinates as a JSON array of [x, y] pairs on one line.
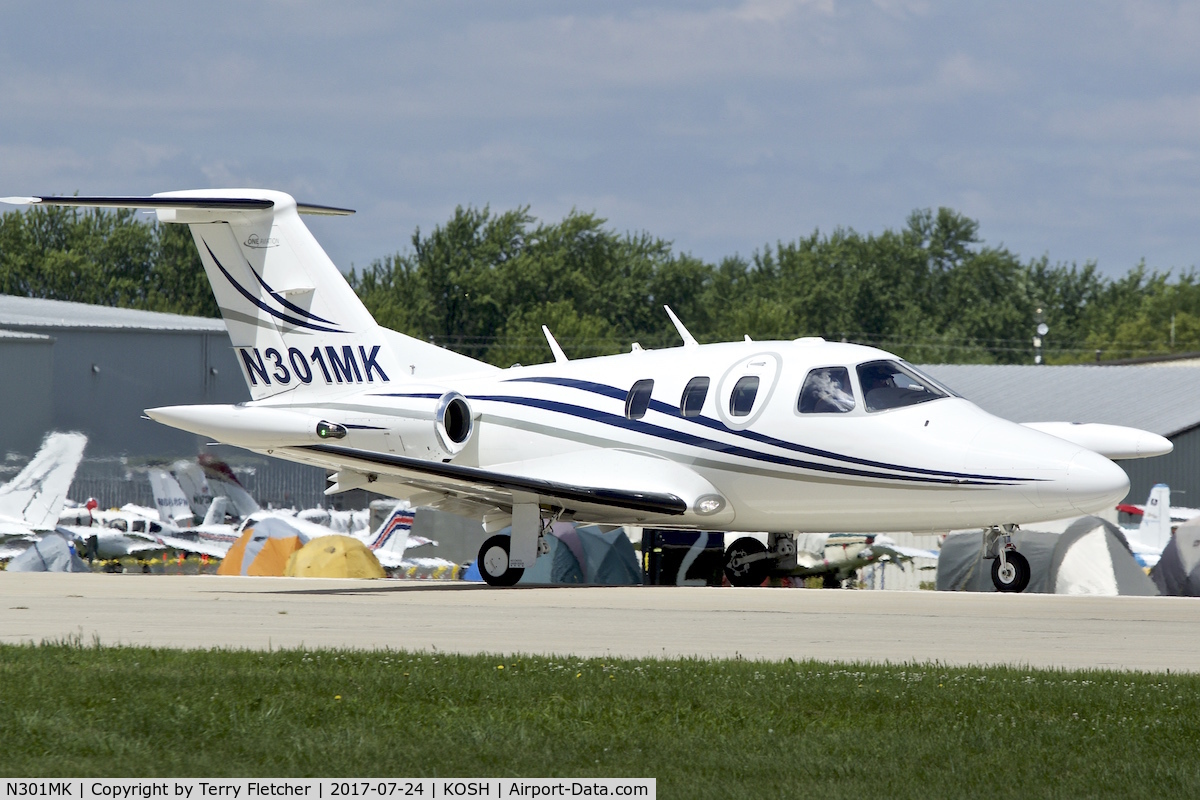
[[37, 312]]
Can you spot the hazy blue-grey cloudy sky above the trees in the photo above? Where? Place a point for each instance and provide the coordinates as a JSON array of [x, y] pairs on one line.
[[1070, 130]]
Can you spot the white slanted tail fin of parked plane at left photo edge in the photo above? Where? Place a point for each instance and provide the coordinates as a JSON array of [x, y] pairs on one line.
[[38, 495]]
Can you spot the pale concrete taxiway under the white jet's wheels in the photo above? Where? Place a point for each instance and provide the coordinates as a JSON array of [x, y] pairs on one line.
[[1147, 634]]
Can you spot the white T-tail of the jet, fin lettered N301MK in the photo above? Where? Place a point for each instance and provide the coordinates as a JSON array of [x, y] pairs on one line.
[[297, 326]]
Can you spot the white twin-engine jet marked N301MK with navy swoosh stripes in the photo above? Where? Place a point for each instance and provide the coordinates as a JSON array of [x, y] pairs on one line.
[[785, 437]]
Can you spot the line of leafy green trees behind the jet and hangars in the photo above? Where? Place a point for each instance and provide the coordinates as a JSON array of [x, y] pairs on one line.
[[485, 282]]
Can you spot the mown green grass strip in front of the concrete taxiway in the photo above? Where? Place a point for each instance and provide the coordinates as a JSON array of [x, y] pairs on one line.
[[703, 729]]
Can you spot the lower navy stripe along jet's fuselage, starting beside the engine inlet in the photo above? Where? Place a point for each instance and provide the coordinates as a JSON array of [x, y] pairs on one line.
[[733, 450]]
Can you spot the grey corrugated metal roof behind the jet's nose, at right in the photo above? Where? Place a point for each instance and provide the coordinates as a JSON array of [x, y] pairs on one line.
[[1153, 399]]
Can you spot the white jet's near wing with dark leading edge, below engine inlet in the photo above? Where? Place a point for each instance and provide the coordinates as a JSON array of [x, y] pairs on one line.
[[497, 488]]
